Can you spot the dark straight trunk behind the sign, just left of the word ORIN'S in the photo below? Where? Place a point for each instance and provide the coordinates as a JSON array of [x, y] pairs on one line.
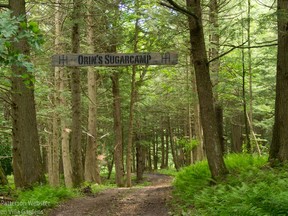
[[77, 164]]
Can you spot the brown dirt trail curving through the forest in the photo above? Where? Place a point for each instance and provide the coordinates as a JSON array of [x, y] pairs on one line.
[[147, 201]]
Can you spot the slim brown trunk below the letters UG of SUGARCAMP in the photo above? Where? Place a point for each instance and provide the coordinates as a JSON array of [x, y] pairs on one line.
[[118, 147]]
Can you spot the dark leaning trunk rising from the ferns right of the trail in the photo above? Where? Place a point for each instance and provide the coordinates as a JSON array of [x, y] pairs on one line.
[[205, 93]]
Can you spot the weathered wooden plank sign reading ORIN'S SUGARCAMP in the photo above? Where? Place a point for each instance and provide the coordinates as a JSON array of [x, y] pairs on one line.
[[114, 59]]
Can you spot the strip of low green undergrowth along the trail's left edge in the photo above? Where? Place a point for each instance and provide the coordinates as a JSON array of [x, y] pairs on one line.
[[37, 200]]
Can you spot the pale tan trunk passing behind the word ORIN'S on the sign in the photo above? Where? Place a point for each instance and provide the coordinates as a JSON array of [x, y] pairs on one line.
[[91, 173]]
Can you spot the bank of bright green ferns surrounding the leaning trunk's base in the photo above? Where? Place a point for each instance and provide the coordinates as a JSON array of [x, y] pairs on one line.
[[252, 188]]
